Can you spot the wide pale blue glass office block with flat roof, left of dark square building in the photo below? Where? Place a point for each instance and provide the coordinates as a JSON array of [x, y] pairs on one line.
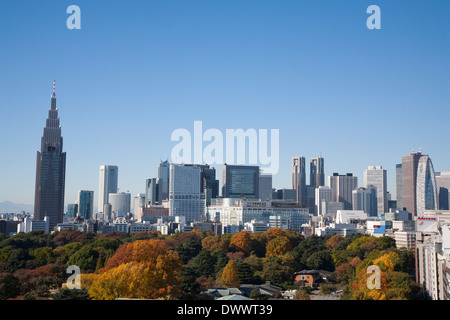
[[185, 198]]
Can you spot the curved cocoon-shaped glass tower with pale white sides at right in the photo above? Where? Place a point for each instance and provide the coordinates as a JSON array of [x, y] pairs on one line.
[[426, 197]]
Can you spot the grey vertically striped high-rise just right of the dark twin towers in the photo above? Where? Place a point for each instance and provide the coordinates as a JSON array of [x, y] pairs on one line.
[[342, 186]]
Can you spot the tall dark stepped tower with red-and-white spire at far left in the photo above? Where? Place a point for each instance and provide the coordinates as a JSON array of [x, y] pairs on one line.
[[50, 170]]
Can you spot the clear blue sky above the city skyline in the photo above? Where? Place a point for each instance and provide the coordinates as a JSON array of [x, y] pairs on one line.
[[138, 70]]
